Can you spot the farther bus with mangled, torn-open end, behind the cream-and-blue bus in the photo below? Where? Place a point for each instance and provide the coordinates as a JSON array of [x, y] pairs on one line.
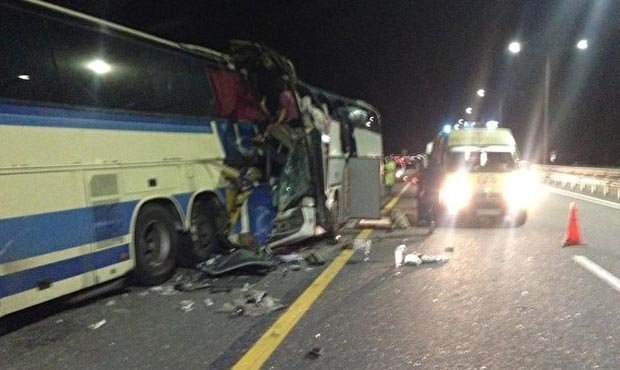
[[316, 165]]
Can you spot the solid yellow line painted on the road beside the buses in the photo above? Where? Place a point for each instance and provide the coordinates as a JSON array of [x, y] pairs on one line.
[[260, 352]]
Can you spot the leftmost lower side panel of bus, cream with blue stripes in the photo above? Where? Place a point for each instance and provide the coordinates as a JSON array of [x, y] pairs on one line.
[[45, 231]]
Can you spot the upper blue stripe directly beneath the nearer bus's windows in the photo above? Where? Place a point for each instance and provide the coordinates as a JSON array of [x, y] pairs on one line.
[[22, 115]]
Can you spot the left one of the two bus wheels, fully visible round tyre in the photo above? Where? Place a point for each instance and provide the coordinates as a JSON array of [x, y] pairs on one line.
[[156, 241]]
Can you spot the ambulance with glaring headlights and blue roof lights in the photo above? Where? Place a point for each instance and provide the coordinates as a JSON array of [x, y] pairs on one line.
[[482, 176]]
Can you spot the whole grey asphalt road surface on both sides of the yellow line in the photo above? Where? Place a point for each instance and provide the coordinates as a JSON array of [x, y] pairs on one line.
[[506, 299]]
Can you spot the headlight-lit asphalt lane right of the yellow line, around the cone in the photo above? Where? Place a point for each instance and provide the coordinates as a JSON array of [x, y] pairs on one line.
[[507, 299]]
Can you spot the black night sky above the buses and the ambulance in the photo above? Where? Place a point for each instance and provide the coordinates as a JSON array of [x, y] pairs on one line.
[[421, 62]]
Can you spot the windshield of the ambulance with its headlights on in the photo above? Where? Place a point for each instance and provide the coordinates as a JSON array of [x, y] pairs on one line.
[[480, 161]]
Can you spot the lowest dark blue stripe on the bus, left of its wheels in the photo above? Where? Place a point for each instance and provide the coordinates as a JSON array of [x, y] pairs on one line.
[[53, 272]]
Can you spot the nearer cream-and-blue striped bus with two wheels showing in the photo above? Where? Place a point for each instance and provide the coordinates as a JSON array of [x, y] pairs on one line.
[[110, 155]]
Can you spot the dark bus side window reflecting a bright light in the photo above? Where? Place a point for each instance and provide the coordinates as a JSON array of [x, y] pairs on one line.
[[105, 70]]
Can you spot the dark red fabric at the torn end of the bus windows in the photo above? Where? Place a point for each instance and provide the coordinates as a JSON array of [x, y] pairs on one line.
[[234, 100]]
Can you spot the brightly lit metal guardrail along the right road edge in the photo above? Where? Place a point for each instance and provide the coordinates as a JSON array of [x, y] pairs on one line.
[[594, 181]]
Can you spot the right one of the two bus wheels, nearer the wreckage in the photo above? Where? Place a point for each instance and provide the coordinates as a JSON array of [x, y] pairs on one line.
[[206, 218]]
